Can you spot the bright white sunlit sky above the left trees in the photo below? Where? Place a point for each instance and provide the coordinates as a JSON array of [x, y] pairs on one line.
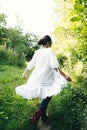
[[33, 15]]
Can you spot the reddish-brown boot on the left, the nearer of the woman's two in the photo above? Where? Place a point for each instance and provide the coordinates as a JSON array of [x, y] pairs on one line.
[[36, 116]]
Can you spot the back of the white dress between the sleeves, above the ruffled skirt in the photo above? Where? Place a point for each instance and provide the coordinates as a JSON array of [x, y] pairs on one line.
[[43, 71]]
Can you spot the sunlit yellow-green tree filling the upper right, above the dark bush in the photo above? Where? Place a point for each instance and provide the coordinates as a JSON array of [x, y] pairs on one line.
[[71, 31]]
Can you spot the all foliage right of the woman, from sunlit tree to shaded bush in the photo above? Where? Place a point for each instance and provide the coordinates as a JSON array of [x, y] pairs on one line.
[[69, 108]]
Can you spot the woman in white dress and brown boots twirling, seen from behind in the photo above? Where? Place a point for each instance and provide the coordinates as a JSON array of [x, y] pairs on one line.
[[46, 79]]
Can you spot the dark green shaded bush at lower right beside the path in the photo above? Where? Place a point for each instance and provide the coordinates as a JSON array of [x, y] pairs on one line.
[[68, 109]]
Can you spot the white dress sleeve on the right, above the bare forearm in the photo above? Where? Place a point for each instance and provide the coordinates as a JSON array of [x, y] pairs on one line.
[[53, 61]]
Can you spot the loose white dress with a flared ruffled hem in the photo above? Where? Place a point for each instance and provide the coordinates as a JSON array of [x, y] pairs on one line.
[[44, 80]]
